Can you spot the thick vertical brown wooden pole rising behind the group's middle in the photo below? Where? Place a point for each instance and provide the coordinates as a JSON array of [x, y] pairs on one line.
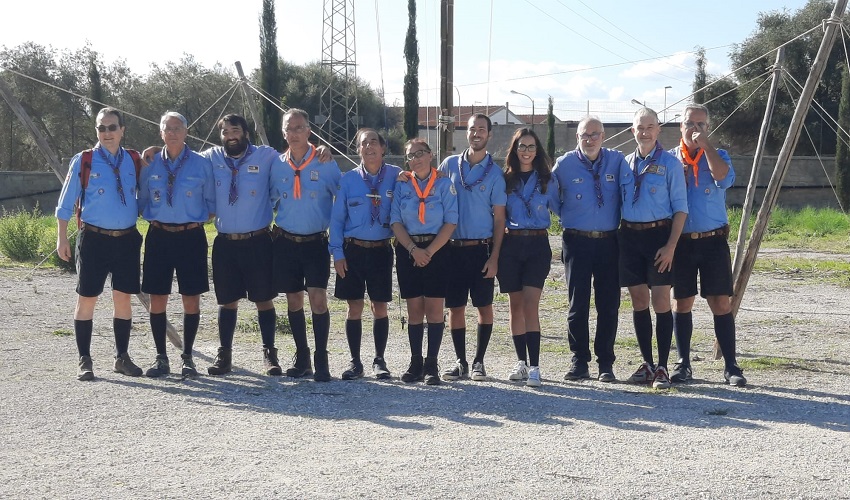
[[446, 120]]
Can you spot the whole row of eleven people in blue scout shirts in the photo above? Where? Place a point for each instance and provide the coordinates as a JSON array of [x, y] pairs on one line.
[[649, 221]]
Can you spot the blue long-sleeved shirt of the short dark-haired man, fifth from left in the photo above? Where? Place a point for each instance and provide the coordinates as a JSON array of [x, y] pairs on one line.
[[352, 215]]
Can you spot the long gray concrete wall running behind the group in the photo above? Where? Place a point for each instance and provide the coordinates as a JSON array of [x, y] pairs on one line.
[[806, 182]]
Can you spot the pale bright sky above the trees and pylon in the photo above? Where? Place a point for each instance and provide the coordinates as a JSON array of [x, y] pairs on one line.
[[595, 56]]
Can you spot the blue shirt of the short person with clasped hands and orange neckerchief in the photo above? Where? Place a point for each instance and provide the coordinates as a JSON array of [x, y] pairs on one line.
[[440, 206]]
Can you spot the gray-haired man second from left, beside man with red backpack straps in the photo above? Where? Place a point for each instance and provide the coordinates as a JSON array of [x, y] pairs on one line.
[[177, 196]]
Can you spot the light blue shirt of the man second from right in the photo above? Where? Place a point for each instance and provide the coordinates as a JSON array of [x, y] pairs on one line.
[[662, 188]]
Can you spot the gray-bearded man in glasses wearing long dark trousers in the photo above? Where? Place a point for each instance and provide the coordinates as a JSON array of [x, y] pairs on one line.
[[590, 213]]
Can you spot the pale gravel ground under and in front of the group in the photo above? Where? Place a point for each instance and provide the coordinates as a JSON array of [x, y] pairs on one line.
[[250, 436]]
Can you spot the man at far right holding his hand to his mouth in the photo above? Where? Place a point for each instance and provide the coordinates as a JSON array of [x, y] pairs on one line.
[[704, 248]]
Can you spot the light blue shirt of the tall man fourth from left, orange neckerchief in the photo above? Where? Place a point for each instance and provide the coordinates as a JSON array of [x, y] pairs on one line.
[[319, 183]]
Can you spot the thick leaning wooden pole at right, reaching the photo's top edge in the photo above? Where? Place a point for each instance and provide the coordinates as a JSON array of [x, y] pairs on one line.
[[831, 28]]
